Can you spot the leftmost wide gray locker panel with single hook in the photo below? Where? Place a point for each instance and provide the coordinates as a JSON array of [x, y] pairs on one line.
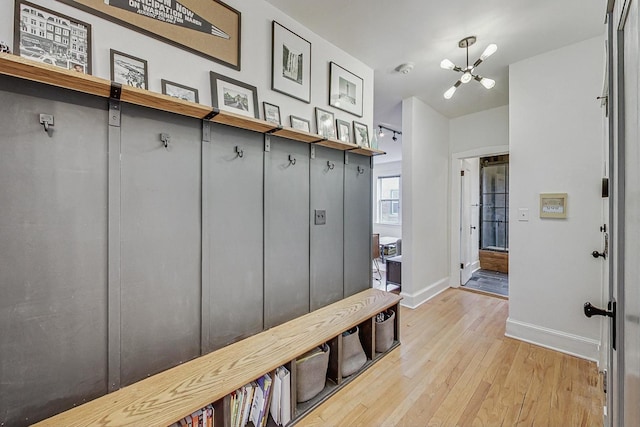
[[53, 251]]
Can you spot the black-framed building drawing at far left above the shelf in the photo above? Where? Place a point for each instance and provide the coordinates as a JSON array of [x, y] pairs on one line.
[[50, 37]]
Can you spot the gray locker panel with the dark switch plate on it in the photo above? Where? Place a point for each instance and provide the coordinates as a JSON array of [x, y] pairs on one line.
[[327, 232]]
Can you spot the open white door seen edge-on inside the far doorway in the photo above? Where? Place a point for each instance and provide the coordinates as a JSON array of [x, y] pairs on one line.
[[466, 227]]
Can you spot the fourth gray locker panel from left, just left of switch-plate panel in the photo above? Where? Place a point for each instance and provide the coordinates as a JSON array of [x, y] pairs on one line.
[[286, 233]]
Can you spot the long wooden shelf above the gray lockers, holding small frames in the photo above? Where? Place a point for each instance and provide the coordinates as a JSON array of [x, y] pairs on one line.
[[22, 68]]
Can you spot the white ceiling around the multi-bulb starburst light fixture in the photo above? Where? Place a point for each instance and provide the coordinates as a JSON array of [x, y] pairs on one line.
[[384, 34]]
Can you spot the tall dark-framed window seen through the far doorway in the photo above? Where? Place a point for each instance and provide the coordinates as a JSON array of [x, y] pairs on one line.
[[494, 215]]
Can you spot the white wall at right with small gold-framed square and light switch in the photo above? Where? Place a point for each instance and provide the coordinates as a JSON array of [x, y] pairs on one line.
[[556, 147]]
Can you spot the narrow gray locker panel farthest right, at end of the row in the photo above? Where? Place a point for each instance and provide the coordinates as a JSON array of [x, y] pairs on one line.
[[357, 224]]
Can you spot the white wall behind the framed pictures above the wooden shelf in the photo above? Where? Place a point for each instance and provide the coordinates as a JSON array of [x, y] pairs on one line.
[[174, 64]]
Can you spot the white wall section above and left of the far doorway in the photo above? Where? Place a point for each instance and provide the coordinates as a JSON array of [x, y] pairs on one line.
[[474, 135]]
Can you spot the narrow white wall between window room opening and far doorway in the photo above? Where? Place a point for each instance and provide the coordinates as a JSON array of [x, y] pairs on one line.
[[425, 214]]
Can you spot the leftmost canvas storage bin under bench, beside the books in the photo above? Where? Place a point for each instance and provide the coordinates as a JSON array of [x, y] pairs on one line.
[[311, 373]]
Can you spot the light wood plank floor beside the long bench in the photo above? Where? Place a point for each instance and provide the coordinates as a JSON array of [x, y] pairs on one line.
[[455, 367]]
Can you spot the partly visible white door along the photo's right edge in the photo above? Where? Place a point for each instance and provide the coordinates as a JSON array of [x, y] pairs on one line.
[[624, 211]]
